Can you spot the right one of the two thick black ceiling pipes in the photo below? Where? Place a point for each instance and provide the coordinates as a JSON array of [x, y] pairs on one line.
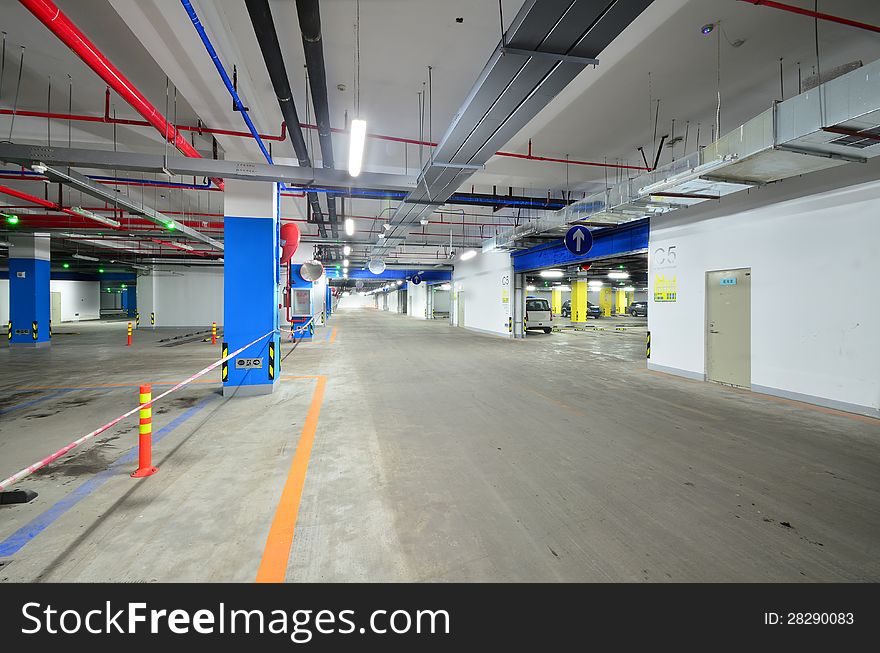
[[309, 15]]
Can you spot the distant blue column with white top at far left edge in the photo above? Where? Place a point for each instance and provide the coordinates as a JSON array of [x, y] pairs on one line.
[[29, 297]]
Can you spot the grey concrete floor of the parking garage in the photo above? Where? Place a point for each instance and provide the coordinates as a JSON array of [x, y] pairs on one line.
[[439, 455]]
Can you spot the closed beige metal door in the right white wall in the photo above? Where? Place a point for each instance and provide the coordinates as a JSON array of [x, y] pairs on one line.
[[728, 326]]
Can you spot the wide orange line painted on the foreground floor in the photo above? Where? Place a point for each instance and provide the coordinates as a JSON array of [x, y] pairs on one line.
[[276, 554]]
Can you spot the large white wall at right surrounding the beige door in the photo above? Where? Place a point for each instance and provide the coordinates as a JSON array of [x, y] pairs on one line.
[[812, 244]]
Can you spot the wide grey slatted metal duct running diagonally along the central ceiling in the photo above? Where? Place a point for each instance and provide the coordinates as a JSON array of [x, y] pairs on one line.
[[547, 45]]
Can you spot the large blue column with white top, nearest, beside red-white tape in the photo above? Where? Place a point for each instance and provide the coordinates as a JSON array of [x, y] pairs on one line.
[[251, 275]]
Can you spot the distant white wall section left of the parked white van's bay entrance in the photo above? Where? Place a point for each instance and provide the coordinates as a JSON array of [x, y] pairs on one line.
[[481, 282]]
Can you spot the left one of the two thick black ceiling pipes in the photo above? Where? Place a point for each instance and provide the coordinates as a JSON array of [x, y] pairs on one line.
[[264, 29]]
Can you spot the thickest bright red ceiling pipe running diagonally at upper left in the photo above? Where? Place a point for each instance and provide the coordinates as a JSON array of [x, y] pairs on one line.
[[60, 25]]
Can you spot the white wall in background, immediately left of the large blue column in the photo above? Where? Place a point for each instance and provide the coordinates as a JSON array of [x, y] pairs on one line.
[[181, 296]]
